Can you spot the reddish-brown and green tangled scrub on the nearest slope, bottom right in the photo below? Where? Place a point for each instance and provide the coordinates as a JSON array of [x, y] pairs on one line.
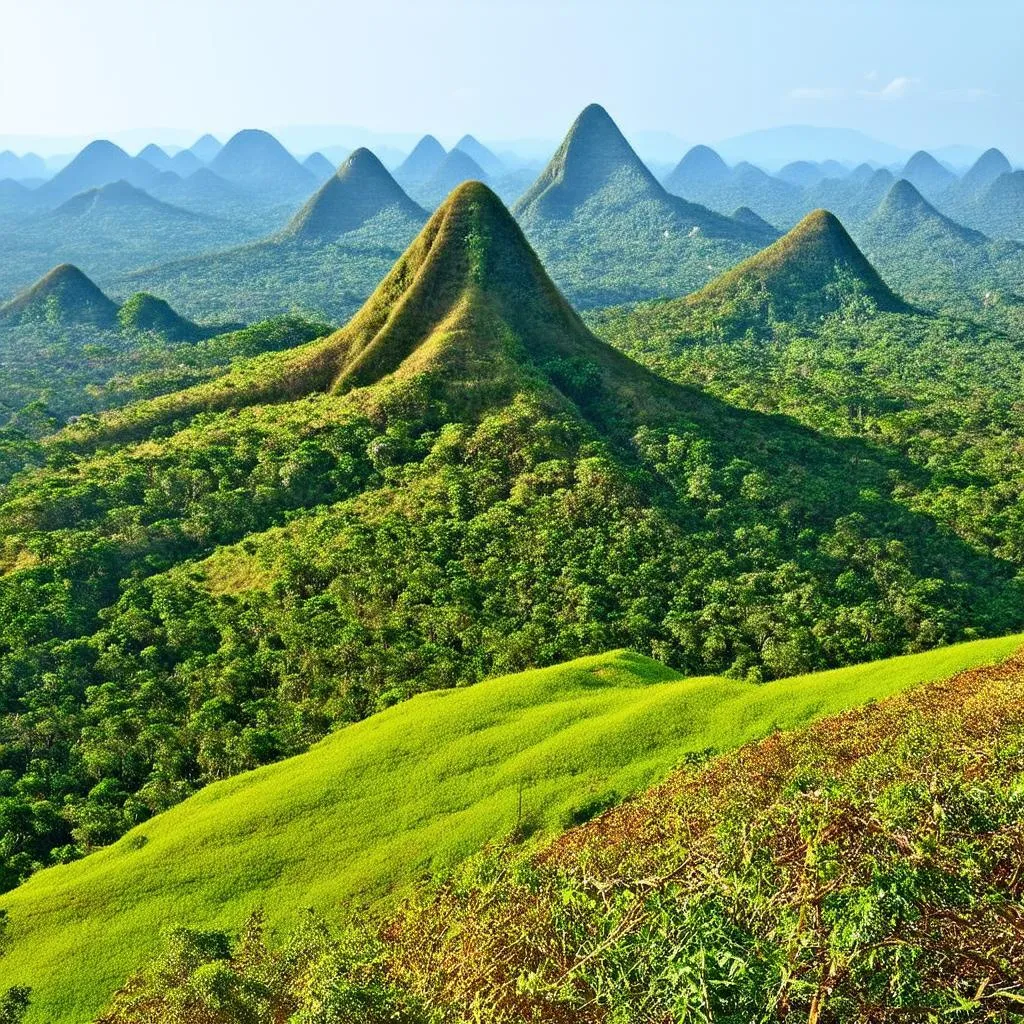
[[865, 868]]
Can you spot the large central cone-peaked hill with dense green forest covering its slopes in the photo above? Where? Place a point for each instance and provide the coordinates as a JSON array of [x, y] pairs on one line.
[[462, 482]]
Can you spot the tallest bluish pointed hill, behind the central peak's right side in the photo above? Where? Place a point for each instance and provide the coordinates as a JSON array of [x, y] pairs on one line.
[[611, 233]]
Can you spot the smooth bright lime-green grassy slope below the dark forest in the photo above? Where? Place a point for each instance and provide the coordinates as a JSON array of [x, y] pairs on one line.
[[408, 792]]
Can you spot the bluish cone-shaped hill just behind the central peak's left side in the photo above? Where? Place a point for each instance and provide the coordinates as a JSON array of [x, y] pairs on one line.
[[361, 191]]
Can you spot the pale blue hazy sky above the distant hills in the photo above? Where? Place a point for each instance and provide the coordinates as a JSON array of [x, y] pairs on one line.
[[908, 72]]
